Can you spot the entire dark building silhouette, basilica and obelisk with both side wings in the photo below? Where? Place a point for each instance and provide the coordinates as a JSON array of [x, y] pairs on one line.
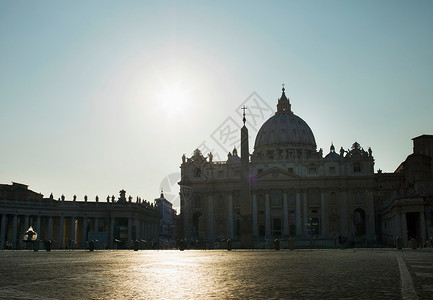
[[284, 189]]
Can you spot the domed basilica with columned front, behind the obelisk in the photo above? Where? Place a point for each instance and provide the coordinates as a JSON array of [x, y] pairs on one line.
[[293, 189]]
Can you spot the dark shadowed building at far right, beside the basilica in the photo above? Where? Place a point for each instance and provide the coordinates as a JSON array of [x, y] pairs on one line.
[[405, 198]]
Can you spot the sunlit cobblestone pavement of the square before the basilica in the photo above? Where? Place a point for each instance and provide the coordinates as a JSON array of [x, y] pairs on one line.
[[256, 274]]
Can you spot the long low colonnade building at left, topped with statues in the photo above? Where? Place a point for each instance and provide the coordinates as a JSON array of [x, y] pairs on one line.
[[71, 224]]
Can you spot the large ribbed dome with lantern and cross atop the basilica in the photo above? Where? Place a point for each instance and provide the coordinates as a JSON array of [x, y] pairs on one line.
[[285, 130]]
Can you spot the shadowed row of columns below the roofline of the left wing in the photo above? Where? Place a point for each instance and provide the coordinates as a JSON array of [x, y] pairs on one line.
[[72, 231]]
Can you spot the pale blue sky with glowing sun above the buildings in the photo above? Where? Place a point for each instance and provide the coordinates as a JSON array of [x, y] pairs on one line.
[[98, 96]]
